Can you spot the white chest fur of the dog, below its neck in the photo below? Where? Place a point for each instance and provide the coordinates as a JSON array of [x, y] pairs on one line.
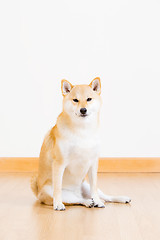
[[80, 150]]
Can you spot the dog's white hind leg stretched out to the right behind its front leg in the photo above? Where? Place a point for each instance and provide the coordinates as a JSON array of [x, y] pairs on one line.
[[106, 198]]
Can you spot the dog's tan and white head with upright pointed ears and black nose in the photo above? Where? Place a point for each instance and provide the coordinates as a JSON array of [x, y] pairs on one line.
[[81, 101]]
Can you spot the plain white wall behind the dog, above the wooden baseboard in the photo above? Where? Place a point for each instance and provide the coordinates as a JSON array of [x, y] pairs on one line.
[[42, 42]]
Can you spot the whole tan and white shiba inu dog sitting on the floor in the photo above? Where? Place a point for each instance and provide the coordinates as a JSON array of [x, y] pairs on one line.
[[70, 151]]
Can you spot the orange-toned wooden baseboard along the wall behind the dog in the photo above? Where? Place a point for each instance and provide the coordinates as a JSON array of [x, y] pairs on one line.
[[105, 165]]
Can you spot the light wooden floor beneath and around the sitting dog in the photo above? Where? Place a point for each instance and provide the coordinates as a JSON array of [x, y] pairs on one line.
[[22, 217]]
